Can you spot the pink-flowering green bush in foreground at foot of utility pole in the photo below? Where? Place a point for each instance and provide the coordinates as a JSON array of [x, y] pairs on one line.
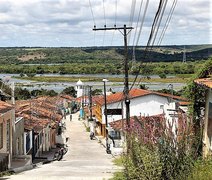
[[157, 151]]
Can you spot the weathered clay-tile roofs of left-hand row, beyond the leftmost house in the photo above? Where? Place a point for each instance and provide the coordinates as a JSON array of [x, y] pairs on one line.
[[39, 112]]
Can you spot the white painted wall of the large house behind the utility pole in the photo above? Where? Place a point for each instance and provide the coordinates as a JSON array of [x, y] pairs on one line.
[[145, 105]]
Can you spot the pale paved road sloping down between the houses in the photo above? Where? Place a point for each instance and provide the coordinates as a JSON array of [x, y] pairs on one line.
[[85, 159]]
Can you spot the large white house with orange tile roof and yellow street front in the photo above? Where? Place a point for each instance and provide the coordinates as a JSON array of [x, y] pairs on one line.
[[142, 103]]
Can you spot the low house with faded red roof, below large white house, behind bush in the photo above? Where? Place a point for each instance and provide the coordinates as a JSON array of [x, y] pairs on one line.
[[117, 130]]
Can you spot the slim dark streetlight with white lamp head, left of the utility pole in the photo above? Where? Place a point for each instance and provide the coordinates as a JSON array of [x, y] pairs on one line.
[[105, 112]]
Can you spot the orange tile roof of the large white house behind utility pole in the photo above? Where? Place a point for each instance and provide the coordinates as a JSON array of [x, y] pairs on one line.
[[134, 93]]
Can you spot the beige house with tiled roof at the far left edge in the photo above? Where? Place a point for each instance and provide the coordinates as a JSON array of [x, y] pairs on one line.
[[7, 119]]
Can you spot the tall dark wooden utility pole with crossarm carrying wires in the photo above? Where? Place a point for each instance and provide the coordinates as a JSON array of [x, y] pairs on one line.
[[126, 66]]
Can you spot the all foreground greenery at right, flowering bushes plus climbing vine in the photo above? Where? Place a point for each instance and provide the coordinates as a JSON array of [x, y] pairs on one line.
[[158, 154]]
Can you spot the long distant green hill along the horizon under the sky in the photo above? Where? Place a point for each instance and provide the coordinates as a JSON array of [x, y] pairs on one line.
[[49, 55]]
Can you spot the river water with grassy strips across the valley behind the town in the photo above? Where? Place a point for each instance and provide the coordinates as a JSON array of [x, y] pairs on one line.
[[59, 86]]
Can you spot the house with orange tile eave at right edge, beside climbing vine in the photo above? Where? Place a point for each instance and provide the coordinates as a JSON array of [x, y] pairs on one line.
[[206, 83]]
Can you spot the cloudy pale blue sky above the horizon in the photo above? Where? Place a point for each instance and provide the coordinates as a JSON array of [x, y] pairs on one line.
[[69, 23]]
